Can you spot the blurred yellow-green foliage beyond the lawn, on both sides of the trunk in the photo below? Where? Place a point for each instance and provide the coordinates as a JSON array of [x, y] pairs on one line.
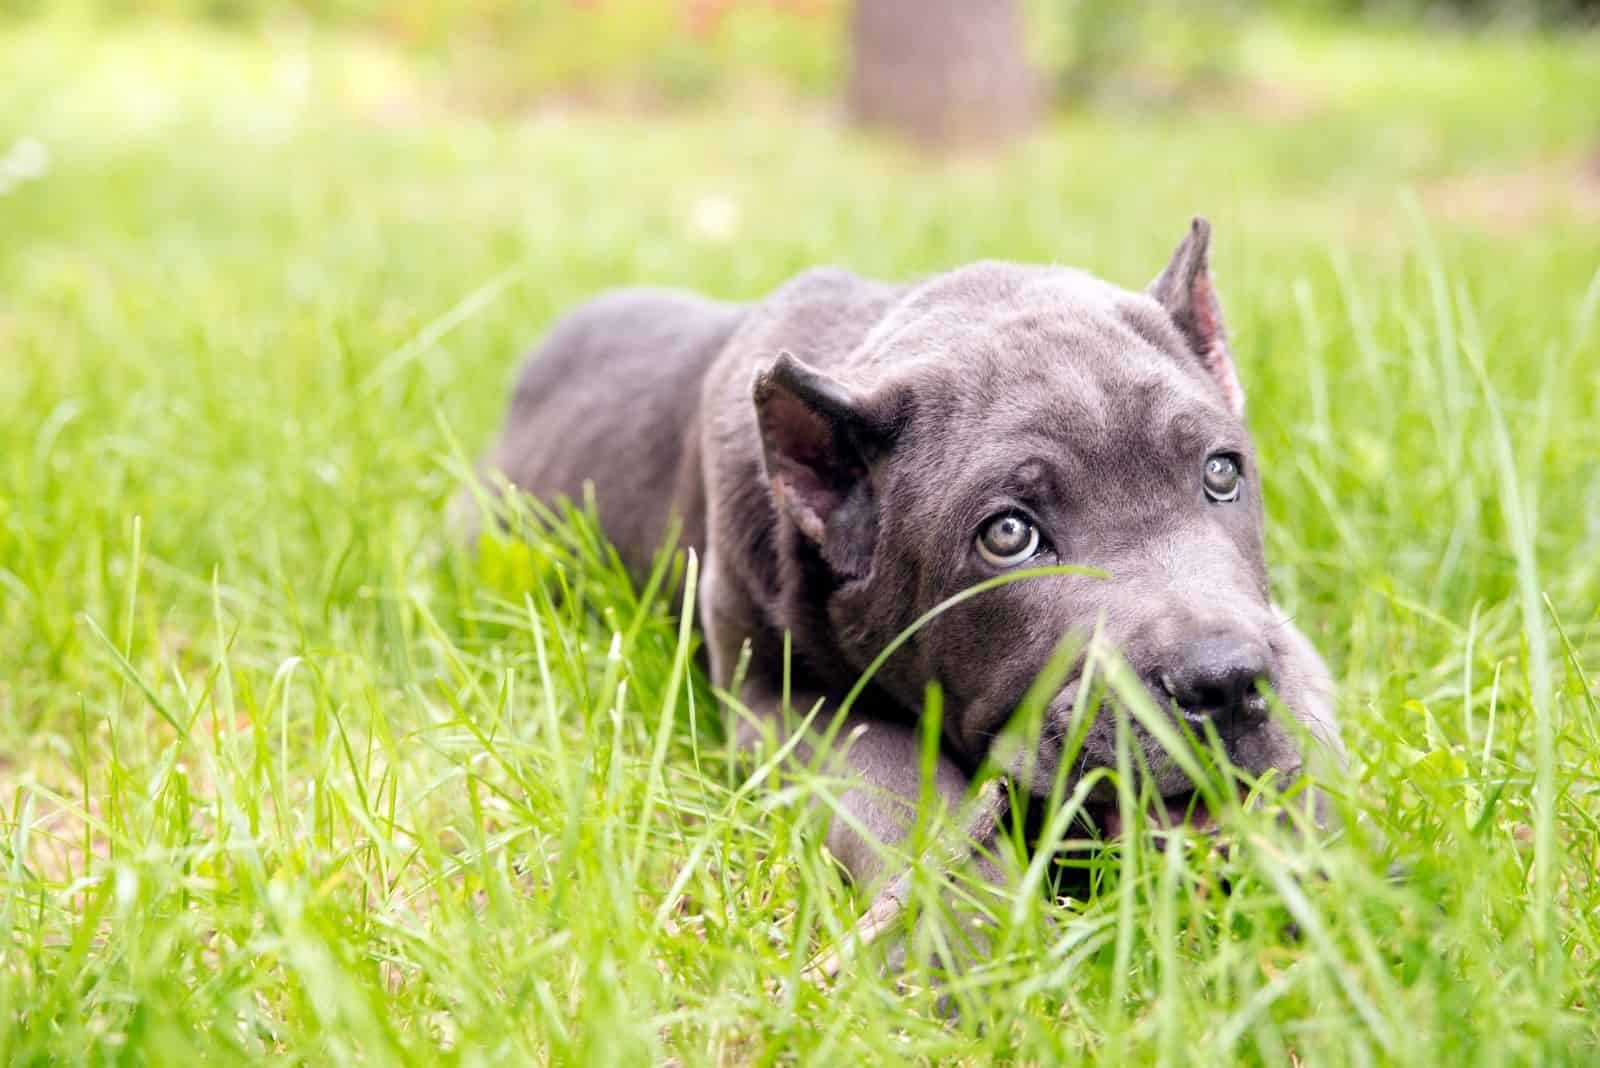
[[660, 54]]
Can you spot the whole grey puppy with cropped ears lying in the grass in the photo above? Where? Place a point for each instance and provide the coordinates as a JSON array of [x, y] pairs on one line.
[[846, 455]]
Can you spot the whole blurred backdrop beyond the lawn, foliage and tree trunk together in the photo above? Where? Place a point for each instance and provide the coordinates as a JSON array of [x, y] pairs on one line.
[[937, 71]]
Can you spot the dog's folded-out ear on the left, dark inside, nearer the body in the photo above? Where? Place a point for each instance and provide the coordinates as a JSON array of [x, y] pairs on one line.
[[817, 440]]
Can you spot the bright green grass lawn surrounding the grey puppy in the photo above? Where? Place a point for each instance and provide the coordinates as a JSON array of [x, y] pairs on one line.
[[286, 775]]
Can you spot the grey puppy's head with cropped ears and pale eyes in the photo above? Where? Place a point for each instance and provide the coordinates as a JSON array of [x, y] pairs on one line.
[[1006, 418]]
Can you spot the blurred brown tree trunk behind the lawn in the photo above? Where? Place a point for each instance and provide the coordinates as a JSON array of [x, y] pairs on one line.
[[942, 71]]
